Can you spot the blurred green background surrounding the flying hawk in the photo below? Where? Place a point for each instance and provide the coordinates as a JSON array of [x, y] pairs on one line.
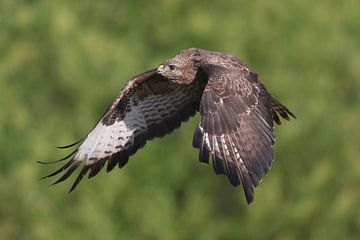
[[62, 62]]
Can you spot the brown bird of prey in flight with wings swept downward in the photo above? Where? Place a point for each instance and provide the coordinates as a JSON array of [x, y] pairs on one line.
[[236, 130]]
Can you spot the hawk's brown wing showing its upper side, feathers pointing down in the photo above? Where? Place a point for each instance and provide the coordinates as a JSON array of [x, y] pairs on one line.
[[236, 126]]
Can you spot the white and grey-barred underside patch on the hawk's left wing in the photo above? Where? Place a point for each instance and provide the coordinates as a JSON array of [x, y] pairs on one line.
[[105, 140]]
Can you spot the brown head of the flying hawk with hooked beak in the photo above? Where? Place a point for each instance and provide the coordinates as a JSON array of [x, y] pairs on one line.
[[181, 69]]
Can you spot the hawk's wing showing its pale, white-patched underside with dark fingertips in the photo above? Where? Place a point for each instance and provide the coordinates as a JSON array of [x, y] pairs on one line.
[[149, 106]]
